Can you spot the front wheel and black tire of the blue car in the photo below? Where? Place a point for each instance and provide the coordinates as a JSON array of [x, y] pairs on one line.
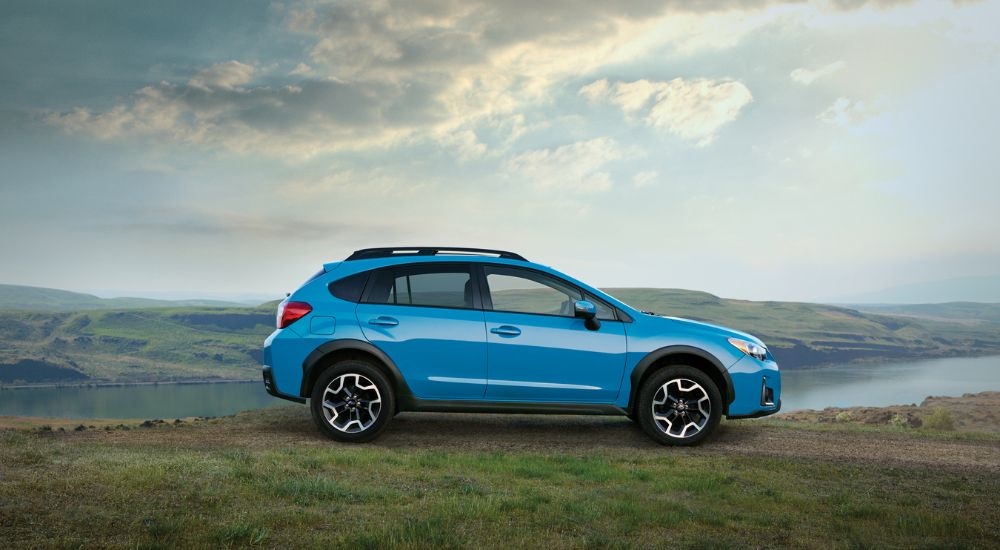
[[679, 405]]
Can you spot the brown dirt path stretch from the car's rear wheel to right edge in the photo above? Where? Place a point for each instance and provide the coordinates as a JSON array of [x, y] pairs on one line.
[[576, 434]]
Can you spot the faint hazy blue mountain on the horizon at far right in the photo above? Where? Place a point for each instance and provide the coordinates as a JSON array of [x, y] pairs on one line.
[[966, 289]]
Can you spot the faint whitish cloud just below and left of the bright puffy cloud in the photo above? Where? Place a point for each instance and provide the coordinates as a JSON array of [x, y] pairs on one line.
[[577, 166]]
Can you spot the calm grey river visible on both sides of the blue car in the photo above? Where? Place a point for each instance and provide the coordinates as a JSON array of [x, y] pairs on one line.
[[872, 385]]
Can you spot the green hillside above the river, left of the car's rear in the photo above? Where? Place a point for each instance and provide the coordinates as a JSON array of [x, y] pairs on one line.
[[133, 345]]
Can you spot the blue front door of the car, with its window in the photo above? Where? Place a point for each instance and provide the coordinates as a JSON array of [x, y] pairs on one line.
[[538, 351]]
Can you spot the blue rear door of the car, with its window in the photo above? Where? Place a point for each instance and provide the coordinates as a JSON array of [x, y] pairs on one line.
[[427, 319]]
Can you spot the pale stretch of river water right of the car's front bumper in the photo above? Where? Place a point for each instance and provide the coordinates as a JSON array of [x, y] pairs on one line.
[[878, 385]]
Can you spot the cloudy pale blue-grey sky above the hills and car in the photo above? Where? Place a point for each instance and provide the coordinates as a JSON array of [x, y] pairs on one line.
[[763, 150]]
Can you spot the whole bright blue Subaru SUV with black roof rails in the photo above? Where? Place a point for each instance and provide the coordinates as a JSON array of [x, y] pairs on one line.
[[474, 330]]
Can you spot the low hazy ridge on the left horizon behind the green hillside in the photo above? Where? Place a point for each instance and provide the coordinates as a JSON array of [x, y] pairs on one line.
[[30, 298]]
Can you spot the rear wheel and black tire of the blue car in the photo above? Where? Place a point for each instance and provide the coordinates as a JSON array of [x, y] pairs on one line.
[[352, 401]]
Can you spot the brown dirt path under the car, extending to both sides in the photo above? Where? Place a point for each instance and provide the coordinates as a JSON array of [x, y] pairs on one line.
[[571, 435]]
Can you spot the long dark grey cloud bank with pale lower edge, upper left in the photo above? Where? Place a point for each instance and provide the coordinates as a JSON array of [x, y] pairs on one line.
[[216, 108]]
